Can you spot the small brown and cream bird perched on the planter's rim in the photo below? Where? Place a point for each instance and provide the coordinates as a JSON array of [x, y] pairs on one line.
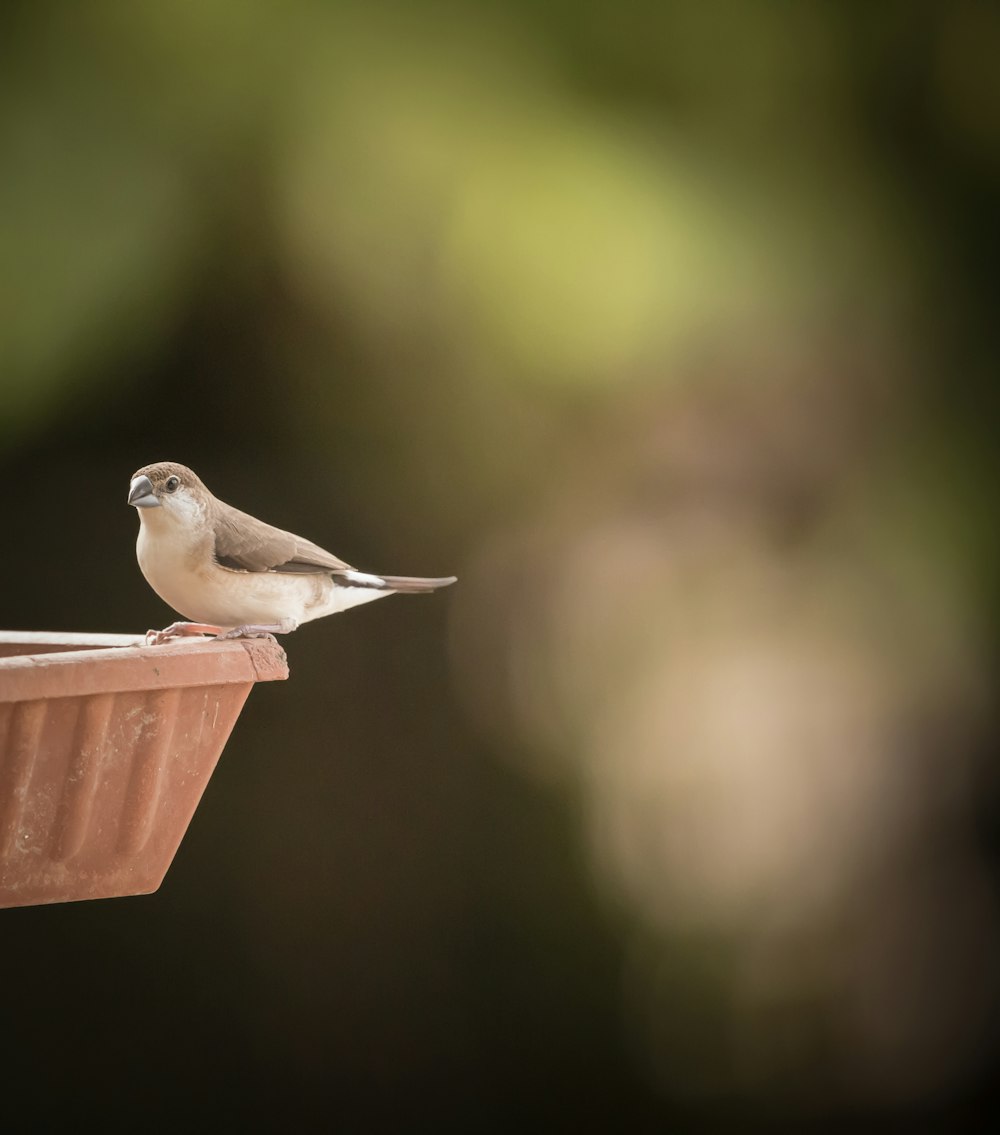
[[231, 575]]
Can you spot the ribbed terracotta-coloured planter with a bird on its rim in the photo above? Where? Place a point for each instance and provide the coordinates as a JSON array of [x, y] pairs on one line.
[[106, 749]]
